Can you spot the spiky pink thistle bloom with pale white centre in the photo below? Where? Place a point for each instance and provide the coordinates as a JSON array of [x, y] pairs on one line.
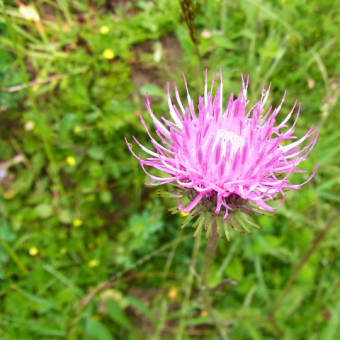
[[227, 156]]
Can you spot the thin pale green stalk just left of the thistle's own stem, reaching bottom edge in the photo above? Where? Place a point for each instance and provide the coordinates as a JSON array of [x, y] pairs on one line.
[[188, 287]]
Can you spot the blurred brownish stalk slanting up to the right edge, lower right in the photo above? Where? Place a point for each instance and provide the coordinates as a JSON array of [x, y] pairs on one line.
[[304, 260]]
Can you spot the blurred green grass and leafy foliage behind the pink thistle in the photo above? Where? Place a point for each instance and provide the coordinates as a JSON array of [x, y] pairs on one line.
[[86, 250]]
